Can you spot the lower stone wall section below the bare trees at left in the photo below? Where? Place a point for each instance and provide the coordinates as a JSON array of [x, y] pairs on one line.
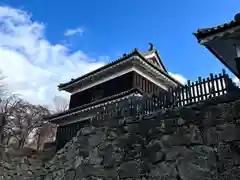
[[23, 164]]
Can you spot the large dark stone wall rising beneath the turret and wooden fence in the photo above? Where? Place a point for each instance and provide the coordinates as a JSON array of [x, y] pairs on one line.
[[192, 143]]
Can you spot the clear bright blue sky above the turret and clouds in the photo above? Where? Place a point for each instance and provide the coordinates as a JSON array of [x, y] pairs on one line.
[[115, 27]]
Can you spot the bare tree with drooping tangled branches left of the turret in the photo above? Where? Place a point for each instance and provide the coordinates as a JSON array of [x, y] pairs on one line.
[[23, 121]]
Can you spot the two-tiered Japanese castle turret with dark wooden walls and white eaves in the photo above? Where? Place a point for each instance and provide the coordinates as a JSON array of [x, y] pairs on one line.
[[133, 74]]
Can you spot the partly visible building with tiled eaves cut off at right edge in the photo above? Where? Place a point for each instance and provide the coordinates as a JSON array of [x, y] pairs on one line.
[[224, 42]]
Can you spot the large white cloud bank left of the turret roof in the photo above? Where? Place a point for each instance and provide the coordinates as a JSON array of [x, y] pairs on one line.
[[33, 65]]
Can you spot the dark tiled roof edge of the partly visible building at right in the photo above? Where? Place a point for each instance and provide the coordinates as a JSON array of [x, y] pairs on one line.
[[204, 32]]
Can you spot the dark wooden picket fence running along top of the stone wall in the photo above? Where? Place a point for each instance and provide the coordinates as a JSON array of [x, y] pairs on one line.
[[192, 92]]
